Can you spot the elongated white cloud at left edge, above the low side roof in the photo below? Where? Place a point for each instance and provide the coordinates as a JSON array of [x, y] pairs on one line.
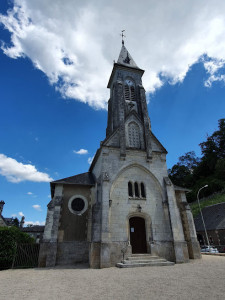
[[15, 171]]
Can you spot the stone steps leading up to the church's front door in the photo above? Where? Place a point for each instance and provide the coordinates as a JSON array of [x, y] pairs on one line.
[[144, 260]]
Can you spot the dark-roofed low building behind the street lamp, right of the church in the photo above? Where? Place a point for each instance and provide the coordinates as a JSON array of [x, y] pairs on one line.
[[214, 218]]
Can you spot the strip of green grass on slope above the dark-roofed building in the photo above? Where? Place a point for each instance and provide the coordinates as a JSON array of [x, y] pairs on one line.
[[218, 198]]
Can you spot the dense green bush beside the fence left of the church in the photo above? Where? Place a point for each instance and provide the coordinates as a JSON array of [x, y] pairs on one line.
[[9, 237]]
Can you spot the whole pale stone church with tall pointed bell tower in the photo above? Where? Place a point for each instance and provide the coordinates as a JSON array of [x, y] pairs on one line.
[[125, 204]]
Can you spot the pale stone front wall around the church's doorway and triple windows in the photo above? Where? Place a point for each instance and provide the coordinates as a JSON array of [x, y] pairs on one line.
[[119, 207]]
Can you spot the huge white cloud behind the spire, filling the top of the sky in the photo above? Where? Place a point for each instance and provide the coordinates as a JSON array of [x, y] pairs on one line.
[[74, 42]]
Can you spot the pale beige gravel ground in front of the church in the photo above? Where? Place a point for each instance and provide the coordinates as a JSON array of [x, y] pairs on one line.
[[199, 279]]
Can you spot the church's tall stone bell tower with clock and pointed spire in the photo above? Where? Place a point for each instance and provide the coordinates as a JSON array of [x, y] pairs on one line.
[[127, 107]]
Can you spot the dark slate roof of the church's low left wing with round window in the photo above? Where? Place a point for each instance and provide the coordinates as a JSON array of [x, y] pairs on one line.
[[82, 179]]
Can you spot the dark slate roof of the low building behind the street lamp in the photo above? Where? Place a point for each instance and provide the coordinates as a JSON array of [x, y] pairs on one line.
[[214, 217]]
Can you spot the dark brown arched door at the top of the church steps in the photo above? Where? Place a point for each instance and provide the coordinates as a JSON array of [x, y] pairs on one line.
[[138, 235]]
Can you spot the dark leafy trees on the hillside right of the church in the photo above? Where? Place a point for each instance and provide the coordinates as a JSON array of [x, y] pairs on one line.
[[193, 173]]
